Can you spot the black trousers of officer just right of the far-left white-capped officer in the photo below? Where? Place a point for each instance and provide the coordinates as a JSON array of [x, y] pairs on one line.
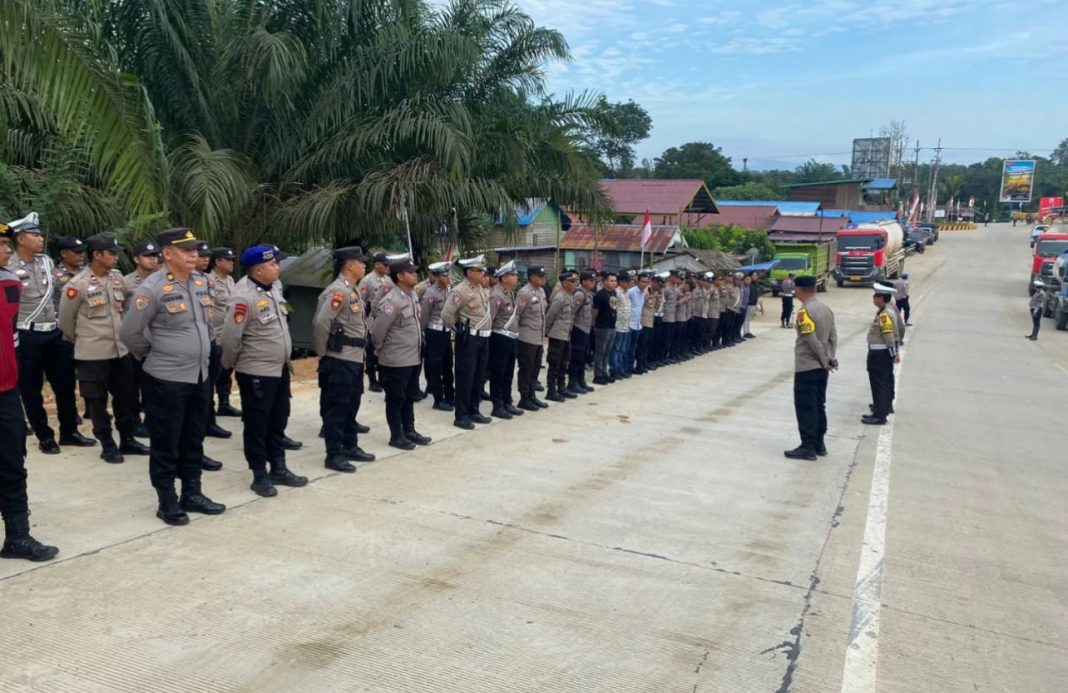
[[99, 379]]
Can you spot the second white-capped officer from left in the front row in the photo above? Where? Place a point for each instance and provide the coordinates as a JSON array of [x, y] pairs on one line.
[[504, 342]]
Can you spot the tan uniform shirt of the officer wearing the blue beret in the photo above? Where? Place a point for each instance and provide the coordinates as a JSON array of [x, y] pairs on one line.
[[256, 335]]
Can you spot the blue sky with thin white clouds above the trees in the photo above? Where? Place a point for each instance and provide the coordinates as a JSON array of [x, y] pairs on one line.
[[780, 82]]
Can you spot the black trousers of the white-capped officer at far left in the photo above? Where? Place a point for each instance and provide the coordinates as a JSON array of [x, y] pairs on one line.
[[46, 355]]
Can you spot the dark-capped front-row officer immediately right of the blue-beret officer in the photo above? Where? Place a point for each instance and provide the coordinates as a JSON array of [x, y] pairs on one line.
[[340, 337]]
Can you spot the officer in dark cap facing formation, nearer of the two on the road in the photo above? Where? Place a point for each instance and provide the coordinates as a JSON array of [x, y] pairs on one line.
[[814, 359]]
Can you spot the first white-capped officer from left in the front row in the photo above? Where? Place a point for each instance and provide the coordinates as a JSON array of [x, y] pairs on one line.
[[467, 311]]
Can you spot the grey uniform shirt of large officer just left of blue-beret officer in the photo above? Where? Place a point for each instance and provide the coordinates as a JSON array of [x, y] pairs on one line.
[[168, 327]]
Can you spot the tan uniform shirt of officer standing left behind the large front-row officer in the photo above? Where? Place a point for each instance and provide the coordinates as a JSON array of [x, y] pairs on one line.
[[91, 316]]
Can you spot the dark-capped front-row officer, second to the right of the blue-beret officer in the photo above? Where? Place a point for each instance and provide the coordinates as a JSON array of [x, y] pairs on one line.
[[399, 340]]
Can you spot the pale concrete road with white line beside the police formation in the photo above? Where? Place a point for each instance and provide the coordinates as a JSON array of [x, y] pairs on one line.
[[649, 538]]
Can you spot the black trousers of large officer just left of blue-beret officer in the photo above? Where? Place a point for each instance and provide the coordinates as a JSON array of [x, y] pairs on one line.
[[176, 415]]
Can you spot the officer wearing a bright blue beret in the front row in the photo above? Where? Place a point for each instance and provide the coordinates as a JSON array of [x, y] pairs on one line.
[[257, 345]]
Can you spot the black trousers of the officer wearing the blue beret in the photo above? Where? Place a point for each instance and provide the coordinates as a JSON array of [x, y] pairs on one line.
[[265, 413]]
